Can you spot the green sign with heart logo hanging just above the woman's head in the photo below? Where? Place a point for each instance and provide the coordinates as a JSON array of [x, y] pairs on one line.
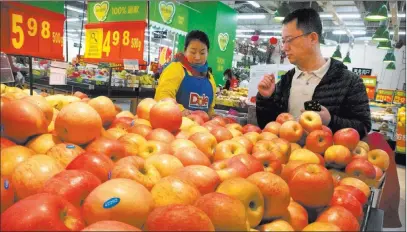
[[170, 13]]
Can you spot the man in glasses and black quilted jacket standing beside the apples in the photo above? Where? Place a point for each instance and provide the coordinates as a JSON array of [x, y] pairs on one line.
[[340, 92]]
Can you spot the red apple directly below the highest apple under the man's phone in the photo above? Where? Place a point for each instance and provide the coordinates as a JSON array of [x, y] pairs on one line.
[[318, 141]]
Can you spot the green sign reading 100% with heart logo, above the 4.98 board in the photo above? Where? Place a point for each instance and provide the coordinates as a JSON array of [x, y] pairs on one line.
[[116, 11]]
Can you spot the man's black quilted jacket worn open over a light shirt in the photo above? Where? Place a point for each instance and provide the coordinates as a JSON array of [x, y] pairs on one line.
[[340, 91]]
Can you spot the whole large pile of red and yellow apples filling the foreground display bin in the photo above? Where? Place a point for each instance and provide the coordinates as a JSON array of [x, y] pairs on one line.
[[101, 169]]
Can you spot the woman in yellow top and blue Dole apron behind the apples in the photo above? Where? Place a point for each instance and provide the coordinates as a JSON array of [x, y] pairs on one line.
[[187, 80]]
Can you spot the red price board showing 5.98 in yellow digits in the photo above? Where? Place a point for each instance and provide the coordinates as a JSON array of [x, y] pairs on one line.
[[31, 31]]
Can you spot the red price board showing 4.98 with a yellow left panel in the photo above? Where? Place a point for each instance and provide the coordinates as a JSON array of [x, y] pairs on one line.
[[114, 41]]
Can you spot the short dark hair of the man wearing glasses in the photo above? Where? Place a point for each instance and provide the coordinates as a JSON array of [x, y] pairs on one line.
[[308, 20]]
